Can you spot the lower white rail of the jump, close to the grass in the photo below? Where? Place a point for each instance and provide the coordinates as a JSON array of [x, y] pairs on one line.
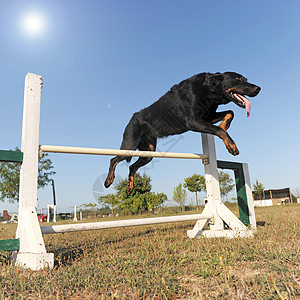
[[122, 223]]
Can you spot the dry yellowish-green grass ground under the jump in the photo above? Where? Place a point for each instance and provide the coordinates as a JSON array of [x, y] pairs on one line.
[[160, 262]]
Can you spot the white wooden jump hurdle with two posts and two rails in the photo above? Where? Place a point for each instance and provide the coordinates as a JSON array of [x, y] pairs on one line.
[[210, 223]]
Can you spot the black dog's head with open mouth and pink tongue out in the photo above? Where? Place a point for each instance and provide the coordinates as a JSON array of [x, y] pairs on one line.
[[232, 87]]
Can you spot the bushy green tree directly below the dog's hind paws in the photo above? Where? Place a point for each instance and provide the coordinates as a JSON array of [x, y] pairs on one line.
[[140, 199]]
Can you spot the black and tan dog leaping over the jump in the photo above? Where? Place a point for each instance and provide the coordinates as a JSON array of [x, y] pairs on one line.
[[189, 105]]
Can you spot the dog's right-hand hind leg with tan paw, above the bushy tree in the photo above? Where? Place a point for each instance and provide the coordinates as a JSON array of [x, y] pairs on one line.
[[142, 161]]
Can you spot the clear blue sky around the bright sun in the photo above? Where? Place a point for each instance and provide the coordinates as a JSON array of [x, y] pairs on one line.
[[103, 60]]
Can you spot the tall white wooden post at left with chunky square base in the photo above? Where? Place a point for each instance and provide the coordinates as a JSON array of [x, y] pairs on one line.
[[32, 253]]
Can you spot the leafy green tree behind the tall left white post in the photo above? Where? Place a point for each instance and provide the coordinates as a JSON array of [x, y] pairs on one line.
[[10, 177]]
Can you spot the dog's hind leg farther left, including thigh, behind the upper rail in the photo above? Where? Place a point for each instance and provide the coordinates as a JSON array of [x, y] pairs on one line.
[[131, 138]]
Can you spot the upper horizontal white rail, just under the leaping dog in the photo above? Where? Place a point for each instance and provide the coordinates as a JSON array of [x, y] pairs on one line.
[[98, 151]]
